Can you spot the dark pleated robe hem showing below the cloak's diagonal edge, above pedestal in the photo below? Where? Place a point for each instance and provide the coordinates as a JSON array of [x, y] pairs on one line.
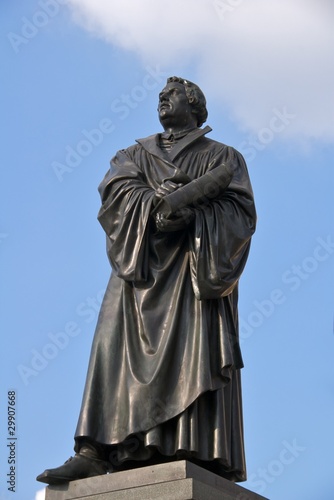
[[208, 433]]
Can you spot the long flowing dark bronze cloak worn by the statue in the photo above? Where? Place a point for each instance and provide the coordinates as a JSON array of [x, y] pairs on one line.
[[164, 371]]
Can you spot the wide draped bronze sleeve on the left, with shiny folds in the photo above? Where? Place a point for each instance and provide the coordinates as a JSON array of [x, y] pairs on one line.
[[124, 216]]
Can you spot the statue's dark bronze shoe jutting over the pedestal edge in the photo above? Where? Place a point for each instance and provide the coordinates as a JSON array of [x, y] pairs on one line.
[[77, 467]]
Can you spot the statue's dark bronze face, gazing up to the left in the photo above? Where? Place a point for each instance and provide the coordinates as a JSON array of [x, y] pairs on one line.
[[174, 108]]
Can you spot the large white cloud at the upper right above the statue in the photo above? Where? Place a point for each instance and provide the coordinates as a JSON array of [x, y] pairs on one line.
[[253, 56]]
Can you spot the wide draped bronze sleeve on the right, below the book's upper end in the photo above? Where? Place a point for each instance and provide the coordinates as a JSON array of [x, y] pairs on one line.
[[220, 240]]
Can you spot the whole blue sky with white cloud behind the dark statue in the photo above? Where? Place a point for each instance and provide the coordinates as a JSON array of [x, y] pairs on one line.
[[80, 81]]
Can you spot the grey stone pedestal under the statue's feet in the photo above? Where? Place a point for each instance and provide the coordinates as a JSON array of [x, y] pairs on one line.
[[179, 480]]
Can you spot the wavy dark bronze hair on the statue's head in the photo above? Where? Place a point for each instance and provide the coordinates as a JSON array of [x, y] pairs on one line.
[[194, 96]]
